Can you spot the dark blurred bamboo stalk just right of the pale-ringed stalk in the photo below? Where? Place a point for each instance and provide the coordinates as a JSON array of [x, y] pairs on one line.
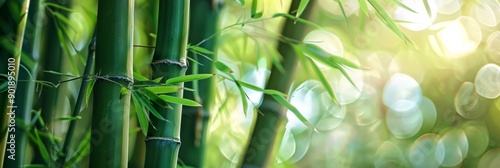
[[204, 16]]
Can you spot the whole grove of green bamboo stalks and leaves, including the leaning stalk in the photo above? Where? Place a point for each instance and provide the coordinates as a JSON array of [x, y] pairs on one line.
[[140, 86]]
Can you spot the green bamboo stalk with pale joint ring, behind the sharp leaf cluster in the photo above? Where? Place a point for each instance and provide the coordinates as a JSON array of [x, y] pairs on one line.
[[169, 60]]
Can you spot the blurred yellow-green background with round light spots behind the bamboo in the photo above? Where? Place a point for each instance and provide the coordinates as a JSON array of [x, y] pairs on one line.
[[432, 103]]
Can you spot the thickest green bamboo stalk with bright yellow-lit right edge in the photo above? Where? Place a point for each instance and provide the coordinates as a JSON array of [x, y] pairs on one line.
[[113, 65]]
